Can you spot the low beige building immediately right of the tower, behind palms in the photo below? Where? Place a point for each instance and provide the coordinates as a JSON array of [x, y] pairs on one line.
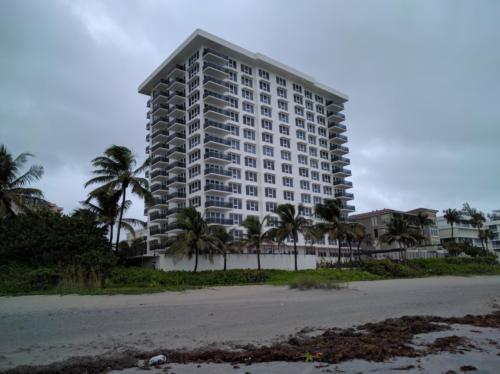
[[376, 225]]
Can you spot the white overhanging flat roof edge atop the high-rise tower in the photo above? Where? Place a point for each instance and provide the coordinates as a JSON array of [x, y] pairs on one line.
[[200, 37]]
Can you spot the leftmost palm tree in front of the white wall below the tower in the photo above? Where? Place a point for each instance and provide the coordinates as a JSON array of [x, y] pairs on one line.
[[195, 237]]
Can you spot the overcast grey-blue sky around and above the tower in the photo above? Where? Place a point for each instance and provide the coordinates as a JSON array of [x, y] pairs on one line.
[[423, 79]]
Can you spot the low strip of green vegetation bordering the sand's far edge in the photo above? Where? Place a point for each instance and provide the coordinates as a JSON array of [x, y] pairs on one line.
[[17, 279]]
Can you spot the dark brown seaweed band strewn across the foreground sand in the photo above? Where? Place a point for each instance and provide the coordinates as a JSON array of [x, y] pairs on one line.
[[373, 342]]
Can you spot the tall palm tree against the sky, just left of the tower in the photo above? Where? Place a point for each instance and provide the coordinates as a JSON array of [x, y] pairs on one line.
[[116, 170]]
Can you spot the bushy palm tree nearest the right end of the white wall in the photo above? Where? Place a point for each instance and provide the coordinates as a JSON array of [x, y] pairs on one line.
[[290, 224]]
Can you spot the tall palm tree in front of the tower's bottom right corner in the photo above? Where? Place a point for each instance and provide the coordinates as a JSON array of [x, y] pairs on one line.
[[331, 223]]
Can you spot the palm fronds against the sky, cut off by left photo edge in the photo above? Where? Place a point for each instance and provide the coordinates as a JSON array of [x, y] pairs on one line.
[[13, 190]]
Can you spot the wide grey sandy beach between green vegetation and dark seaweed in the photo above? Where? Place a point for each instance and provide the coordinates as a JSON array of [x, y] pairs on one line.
[[44, 329]]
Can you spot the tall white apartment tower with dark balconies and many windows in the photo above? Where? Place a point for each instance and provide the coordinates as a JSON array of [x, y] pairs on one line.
[[234, 133]]
